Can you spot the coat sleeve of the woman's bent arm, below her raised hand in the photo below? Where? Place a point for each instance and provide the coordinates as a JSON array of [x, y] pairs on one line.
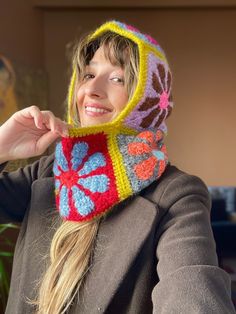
[[15, 189]]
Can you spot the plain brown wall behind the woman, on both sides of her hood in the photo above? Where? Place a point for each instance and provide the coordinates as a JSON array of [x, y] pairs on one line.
[[201, 48]]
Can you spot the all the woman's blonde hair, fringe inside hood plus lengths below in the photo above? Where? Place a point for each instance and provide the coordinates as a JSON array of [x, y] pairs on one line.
[[72, 244]]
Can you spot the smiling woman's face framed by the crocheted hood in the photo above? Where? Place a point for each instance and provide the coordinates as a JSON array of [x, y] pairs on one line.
[[101, 95]]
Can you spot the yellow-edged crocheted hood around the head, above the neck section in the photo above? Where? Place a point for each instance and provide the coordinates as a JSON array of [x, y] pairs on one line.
[[152, 102]]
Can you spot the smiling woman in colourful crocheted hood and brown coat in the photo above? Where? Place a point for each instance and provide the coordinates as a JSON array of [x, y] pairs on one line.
[[134, 234]]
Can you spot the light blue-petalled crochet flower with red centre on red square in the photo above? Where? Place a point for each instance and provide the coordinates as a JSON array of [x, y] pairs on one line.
[[73, 177]]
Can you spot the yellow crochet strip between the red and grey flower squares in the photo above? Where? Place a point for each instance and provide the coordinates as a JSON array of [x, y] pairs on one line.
[[123, 184]]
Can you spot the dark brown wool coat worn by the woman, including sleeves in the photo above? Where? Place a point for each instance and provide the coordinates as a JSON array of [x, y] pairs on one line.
[[154, 253]]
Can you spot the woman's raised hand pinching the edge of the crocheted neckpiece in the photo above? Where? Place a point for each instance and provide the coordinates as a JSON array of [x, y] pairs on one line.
[[29, 132]]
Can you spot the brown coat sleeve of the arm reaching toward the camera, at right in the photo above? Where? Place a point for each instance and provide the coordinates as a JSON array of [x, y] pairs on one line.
[[190, 280]]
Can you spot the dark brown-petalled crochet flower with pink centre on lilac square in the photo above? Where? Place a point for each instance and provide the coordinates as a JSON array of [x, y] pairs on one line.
[[161, 84]]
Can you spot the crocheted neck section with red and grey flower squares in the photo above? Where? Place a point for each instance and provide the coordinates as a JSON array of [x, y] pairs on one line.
[[95, 172]]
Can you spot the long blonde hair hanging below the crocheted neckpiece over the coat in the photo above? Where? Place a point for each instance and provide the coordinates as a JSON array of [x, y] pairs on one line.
[[70, 259]]
